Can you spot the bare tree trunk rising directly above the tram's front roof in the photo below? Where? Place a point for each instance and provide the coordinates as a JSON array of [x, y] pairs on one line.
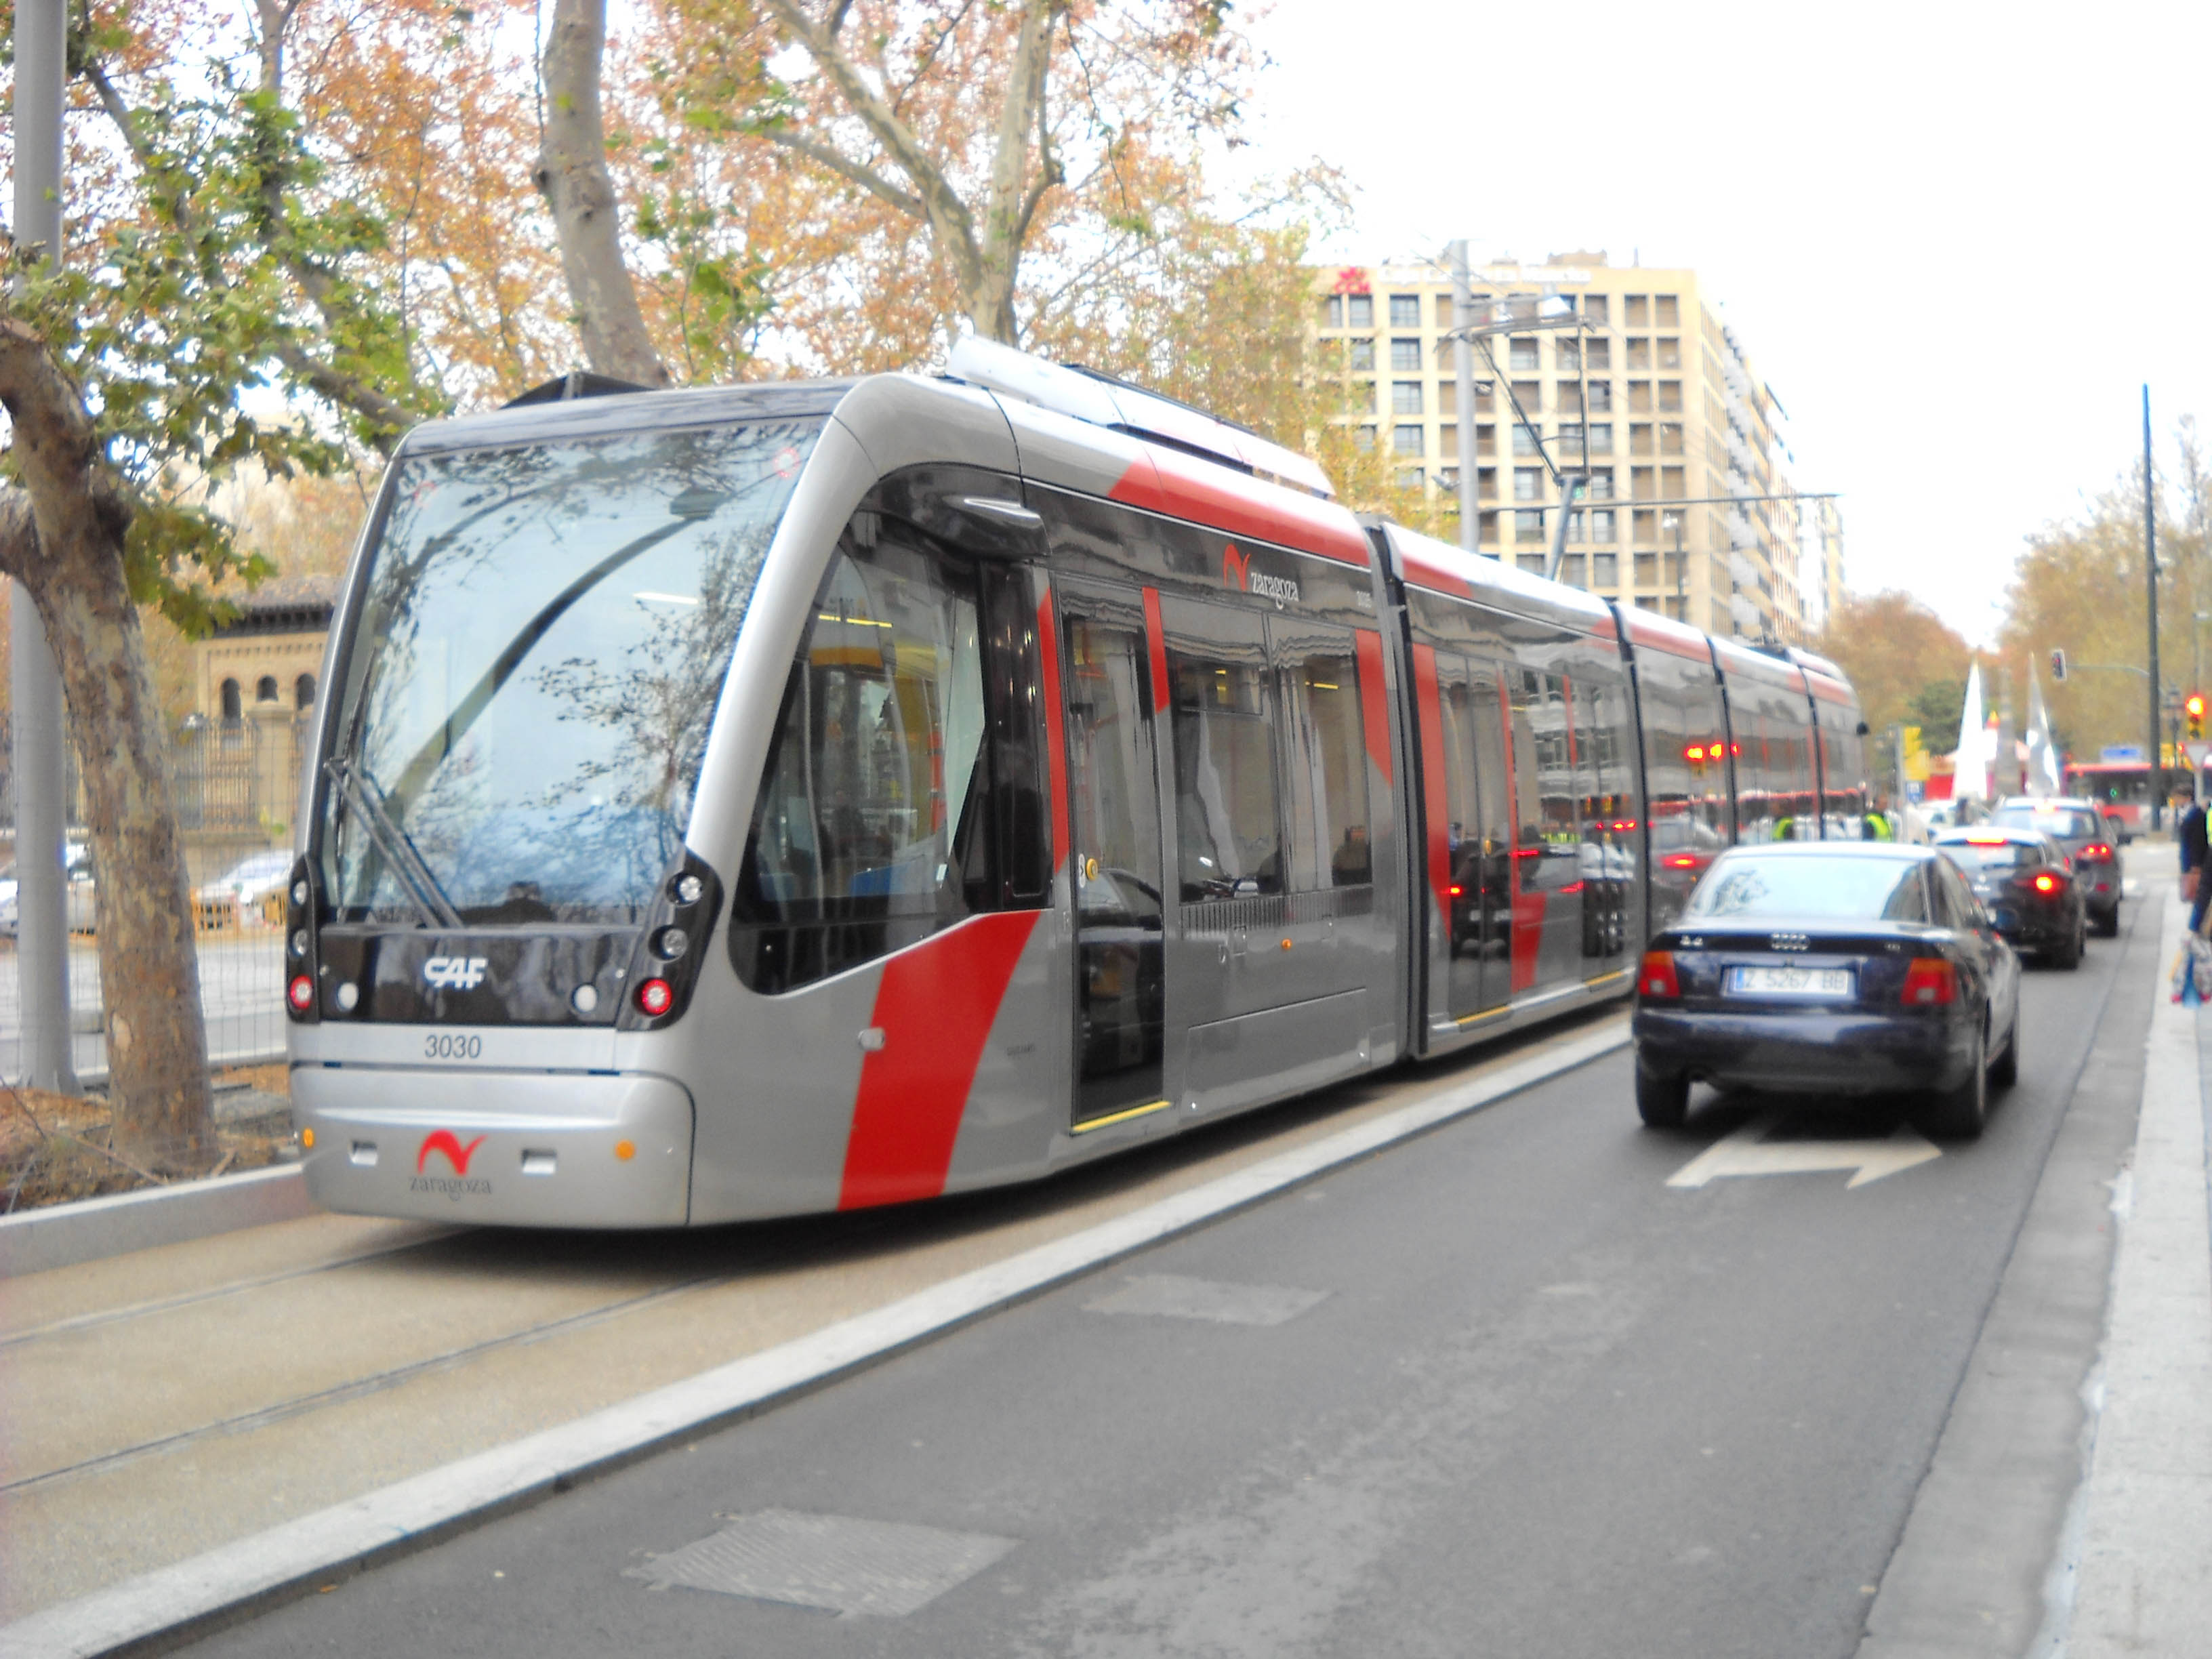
[[574, 178]]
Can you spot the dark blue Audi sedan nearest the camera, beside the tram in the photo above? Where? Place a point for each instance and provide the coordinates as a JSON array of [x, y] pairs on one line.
[[1833, 968]]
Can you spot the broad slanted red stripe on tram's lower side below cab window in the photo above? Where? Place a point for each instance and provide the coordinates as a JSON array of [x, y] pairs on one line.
[[935, 1010]]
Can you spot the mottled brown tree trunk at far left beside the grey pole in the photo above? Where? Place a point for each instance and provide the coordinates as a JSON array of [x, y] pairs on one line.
[[67, 554]]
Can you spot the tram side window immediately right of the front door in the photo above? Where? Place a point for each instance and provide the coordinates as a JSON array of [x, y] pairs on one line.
[[1224, 780]]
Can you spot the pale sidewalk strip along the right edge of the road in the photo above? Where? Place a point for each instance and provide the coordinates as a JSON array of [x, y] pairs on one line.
[[2142, 1567]]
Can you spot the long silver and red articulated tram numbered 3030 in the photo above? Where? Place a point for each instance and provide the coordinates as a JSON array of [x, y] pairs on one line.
[[822, 795]]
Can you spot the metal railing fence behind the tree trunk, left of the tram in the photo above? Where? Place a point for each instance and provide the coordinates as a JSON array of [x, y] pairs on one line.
[[236, 786]]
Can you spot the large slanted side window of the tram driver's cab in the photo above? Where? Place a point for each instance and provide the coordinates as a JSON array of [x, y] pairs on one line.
[[873, 822]]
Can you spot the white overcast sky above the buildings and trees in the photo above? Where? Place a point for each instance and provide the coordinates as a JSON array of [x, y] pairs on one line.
[[1954, 240]]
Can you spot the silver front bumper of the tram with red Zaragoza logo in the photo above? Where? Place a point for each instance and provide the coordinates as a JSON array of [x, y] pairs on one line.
[[497, 1147]]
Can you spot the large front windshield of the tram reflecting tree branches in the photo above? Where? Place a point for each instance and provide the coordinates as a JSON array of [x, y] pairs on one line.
[[541, 649]]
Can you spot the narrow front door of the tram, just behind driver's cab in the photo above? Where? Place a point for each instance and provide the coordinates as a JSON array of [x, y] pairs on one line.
[[1114, 795]]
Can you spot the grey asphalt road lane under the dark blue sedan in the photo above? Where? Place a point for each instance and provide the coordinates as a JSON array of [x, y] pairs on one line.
[[1494, 1392]]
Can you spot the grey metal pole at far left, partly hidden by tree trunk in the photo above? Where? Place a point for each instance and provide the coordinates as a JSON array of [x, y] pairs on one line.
[[34, 678]]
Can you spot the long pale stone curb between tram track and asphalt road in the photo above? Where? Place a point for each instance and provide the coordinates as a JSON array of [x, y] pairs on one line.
[[233, 1583]]
